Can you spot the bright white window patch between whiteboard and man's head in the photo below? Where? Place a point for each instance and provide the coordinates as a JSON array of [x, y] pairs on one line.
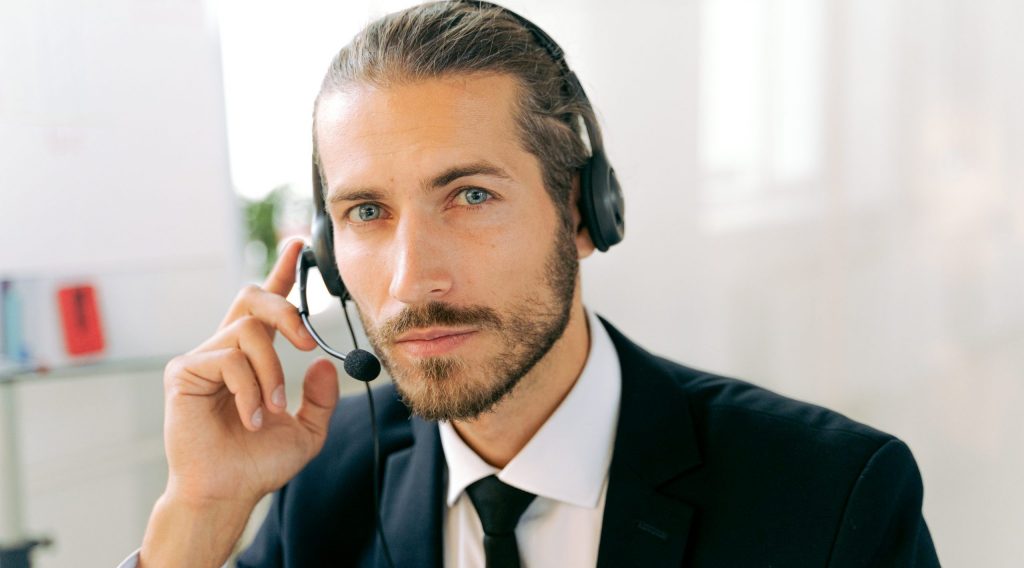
[[275, 56]]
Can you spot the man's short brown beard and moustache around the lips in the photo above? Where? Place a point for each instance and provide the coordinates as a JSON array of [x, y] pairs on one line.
[[447, 388]]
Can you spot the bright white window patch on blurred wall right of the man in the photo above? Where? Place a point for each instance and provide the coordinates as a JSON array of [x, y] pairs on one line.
[[761, 93]]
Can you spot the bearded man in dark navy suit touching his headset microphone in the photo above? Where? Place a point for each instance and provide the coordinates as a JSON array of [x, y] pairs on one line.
[[450, 150]]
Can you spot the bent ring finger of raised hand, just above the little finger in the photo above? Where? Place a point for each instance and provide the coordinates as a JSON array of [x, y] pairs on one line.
[[251, 337]]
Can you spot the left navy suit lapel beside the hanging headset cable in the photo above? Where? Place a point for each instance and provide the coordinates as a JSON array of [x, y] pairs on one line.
[[411, 501]]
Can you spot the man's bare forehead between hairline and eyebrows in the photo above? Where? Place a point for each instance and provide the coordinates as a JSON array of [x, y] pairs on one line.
[[417, 128]]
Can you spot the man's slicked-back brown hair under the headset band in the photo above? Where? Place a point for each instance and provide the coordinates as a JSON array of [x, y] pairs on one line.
[[440, 39]]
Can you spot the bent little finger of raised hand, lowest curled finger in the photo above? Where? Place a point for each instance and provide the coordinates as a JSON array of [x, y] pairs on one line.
[[207, 373]]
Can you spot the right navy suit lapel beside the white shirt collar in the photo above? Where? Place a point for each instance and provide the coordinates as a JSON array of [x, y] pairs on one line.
[[655, 443]]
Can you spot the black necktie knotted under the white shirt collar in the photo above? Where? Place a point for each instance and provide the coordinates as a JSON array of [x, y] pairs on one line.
[[500, 507]]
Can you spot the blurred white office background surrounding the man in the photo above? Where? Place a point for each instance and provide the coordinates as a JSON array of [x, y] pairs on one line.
[[825, 198]]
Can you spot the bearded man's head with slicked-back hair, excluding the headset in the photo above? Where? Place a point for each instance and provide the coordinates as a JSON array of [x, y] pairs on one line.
[[449, 145]]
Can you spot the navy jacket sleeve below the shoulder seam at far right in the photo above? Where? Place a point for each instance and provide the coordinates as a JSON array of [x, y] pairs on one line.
[[883, 525]]
